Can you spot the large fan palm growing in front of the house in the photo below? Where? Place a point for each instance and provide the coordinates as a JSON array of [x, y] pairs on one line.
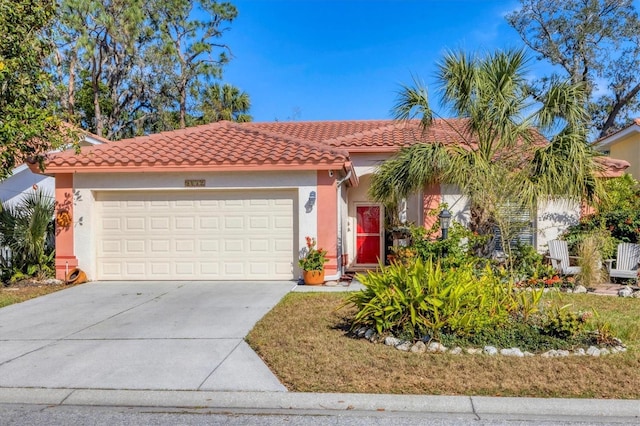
[[501, 159]]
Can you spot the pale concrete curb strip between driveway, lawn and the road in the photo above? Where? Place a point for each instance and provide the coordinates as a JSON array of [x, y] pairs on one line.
[[474, 407]]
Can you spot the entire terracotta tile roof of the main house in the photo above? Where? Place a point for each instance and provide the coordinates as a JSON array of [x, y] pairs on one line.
[[268, 146]]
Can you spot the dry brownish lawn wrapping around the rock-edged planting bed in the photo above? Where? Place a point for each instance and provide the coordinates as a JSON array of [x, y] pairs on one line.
[[303, 340]]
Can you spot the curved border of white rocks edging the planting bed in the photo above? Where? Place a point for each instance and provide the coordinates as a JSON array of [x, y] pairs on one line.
[[436, 347]]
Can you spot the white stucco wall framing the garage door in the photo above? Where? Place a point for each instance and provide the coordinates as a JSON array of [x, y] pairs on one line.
[[86, 186]]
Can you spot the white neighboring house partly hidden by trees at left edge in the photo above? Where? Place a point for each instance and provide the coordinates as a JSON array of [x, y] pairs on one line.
[[23, 180]]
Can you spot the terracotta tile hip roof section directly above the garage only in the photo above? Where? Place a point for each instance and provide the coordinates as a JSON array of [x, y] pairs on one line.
[[219, 145]]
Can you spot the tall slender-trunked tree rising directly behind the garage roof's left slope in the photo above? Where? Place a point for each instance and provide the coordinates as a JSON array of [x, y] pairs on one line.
[[189, 47]]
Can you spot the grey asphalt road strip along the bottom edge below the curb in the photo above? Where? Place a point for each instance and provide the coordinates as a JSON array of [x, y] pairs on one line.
[[32, 415]]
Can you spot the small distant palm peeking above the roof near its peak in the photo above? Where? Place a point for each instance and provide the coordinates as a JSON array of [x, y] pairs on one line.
[[225, 102]]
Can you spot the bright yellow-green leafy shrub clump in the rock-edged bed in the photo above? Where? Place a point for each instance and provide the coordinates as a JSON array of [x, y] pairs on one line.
[[425, 299]]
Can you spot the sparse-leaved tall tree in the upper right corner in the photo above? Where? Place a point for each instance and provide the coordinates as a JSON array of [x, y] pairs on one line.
[[597, 43]]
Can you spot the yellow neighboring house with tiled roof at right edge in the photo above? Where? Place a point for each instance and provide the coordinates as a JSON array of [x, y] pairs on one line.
[[624, 145]]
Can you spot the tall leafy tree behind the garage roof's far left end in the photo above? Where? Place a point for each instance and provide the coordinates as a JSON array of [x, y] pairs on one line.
[[99, 57]]
